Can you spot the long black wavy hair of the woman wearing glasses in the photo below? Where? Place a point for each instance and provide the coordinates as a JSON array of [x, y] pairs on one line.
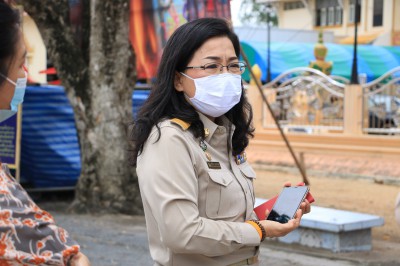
[[165, 102]]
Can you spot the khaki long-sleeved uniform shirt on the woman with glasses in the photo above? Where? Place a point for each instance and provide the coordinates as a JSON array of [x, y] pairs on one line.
[[195, 214]]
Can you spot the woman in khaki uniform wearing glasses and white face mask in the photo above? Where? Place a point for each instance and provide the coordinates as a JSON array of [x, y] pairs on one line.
[[190, 137]]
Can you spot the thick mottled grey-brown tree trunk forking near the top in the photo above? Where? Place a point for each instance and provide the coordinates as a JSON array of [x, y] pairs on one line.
[[98, 77]]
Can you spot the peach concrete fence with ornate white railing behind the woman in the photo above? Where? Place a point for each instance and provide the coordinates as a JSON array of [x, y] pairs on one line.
[[348, 134]]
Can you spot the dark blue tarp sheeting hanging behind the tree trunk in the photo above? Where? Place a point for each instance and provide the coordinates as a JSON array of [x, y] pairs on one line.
[[50, 152]]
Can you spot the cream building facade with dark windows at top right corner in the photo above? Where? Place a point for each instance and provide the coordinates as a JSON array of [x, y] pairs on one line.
[[379, 21]]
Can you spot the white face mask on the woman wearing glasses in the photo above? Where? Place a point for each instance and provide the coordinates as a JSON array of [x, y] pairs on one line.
[[216, 94]]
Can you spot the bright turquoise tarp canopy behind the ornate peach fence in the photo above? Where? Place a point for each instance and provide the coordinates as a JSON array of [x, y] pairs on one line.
[[374, 61]]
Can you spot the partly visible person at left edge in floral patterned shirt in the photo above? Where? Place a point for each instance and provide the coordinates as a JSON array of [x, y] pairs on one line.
[[28, 234]]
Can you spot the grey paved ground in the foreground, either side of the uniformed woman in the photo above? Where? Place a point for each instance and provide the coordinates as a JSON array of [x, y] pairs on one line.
[[122, 240]]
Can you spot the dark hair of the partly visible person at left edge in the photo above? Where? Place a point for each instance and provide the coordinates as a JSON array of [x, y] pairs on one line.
[[9, 32]]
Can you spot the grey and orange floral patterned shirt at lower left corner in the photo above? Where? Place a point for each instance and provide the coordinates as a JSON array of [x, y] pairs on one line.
[[28, 234]]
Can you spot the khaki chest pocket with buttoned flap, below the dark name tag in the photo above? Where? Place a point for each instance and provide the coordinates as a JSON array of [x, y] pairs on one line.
[[224, 195]]
